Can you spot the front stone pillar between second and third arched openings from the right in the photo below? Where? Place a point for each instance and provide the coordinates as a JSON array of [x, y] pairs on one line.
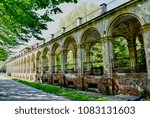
[[80, 59]]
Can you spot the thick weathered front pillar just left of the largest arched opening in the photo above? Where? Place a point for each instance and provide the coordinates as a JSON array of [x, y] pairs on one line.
[[107, 57]]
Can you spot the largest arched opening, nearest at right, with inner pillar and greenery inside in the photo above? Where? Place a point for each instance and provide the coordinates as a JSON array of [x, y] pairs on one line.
[[127, 38]]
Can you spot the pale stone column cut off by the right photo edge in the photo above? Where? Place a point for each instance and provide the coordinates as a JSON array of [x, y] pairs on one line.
[[146, 37]]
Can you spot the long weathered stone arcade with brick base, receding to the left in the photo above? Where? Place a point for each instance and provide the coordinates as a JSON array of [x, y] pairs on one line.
[[130, 21]]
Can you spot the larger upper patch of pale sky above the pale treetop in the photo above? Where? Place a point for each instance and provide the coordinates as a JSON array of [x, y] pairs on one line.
[[66, 8]]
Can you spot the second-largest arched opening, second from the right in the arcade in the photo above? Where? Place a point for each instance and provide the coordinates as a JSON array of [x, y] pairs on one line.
[[92, 52]]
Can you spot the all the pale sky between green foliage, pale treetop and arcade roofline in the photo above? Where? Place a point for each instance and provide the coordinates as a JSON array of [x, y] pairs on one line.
[[66, 8]]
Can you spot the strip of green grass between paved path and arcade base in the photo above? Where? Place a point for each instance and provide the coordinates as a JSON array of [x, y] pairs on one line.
[[62, 91]]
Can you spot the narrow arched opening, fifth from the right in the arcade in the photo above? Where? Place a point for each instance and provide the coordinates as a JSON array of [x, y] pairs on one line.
[[46, 57]]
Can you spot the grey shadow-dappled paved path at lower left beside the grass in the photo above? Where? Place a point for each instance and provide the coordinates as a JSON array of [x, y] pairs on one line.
[[14, 91]]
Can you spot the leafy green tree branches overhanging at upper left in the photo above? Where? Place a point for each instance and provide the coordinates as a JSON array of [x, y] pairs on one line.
[[20, 20]]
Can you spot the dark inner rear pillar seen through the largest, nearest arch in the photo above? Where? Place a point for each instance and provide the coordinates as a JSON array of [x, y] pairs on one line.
[[132, 54]]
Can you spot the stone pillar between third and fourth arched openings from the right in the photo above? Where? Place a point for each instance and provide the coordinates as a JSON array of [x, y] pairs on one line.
[[64, 60]]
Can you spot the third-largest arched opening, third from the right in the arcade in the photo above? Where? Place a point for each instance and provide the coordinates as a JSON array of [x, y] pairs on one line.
[[70, 55]]
